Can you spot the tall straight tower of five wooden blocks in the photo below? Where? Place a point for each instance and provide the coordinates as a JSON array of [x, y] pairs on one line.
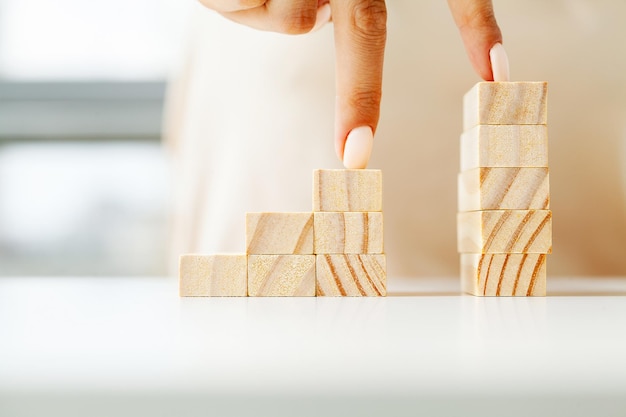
[[504, 224]]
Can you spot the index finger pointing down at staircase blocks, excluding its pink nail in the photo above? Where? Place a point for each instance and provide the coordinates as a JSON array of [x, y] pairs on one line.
[[360, 34]]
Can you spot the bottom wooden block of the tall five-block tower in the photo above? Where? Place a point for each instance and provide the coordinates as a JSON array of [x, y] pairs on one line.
[[504, 274]]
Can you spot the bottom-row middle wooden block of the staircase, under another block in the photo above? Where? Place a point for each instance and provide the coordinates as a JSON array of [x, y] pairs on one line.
[[281, 275]]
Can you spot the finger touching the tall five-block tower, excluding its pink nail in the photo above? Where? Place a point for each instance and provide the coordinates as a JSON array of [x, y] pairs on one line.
[[479, 30]]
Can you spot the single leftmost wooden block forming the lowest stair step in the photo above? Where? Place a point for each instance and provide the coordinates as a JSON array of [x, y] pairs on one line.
[[223, 275]]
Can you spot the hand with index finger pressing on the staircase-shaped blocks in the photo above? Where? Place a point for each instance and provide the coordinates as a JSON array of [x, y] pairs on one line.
[[360, 28]]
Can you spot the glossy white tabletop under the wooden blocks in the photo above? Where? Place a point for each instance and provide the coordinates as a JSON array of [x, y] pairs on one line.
[[131, 346]]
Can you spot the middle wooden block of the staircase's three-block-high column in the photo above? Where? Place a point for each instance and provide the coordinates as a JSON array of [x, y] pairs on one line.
[[348, 232]]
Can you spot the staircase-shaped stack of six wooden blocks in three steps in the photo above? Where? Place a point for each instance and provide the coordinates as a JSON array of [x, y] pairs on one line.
[[336, 250]]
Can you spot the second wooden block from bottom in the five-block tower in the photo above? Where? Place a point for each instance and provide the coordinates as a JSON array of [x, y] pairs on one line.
[[505, 231]]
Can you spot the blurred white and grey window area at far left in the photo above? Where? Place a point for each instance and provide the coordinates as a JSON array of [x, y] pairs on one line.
[[84, 187]]
